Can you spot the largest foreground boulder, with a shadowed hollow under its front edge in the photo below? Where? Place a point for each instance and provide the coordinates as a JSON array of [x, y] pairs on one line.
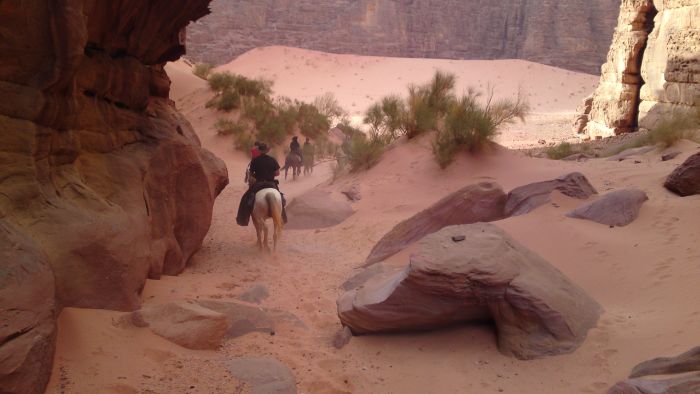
[[471, 273]]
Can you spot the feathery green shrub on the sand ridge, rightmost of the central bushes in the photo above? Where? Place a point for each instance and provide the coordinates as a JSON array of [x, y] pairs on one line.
[[470, 126]]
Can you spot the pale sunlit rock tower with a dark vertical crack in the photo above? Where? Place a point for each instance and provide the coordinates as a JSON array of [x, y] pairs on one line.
[[653, 67]]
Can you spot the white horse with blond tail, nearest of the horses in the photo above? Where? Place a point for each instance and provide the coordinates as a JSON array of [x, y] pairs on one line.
[[268, 204]]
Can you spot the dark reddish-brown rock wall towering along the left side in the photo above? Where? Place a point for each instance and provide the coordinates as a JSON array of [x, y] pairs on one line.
[[102, 182]]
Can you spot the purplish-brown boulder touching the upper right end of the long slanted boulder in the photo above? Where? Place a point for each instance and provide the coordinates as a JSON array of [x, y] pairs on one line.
[[525, 199]]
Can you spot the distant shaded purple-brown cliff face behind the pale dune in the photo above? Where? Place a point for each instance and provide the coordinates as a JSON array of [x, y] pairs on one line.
[[573, 34]]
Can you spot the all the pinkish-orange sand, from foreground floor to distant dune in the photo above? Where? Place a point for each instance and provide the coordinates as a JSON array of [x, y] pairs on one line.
[[644, 275]]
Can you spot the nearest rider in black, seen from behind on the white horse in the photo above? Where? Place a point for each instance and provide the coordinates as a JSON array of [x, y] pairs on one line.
[[263, 170]]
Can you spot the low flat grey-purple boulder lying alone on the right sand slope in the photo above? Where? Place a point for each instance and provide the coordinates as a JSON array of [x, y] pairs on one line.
[[618, 208]]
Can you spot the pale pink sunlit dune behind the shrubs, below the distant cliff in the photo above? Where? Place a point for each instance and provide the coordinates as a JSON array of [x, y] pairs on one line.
[[358, 81]]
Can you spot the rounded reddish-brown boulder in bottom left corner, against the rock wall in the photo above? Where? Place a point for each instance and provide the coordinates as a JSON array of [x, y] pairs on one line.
[[27, 314]]
